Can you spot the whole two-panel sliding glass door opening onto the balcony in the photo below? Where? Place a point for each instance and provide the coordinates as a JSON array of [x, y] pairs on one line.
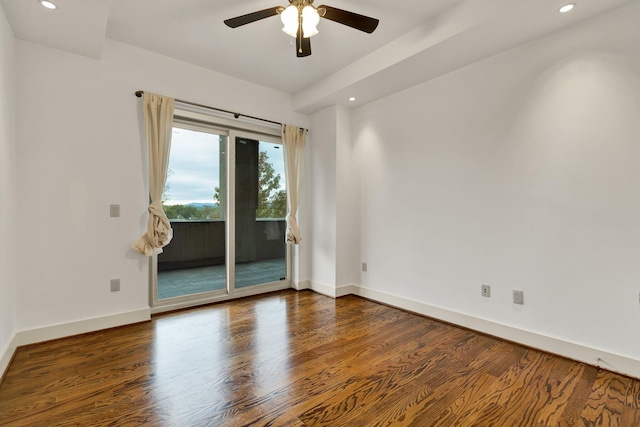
[[226, 200]]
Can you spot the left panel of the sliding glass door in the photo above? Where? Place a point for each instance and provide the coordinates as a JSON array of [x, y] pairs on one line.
[[194, 261]]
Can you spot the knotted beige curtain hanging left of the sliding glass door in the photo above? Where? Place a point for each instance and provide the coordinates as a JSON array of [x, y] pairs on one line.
[[158, 123]]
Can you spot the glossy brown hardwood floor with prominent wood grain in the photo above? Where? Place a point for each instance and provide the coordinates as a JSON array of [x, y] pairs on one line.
[[302, 359]]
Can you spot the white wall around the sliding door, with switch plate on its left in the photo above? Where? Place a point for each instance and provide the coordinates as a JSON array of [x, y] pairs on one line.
[[80, 149]]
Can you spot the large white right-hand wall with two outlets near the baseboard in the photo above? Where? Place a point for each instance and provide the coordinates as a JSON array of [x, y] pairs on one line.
[[520, 171]]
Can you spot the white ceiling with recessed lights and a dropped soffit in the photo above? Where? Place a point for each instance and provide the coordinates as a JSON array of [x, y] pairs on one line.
[[415, 41]]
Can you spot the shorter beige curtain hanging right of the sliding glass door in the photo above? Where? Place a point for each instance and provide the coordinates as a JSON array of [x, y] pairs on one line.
[[293, 139]]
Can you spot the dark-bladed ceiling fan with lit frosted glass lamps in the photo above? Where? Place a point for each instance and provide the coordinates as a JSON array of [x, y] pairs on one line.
[[300, 19]]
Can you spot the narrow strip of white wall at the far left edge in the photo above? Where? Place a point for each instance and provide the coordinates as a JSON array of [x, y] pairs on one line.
[[7, 188]]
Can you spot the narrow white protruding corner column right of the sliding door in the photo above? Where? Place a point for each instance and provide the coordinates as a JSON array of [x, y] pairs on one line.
[[335, 203]]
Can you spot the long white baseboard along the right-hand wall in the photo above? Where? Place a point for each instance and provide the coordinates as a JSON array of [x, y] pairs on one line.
[[591, 356]]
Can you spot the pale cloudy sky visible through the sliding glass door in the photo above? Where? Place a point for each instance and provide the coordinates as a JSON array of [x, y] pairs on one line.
[[194, 166]]
